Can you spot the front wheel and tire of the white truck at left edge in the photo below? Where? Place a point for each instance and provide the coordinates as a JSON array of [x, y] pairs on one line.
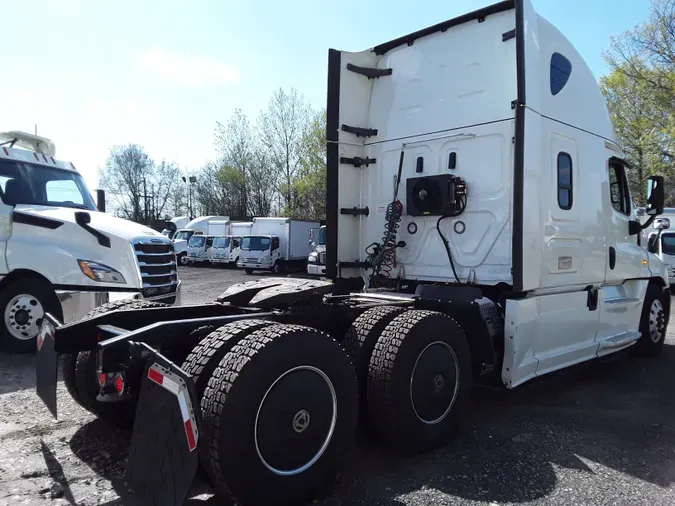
[[24, 303]]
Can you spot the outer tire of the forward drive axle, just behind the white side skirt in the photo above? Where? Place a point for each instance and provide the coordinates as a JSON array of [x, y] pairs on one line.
[[419, 380]]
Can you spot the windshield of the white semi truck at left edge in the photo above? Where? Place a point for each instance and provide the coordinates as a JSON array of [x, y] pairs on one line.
[[26, 183]]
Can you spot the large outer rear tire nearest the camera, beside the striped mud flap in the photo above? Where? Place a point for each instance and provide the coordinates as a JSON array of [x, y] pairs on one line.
[[298, 389]]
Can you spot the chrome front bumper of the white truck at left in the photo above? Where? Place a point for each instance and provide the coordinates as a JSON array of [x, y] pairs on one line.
[[75, 305]]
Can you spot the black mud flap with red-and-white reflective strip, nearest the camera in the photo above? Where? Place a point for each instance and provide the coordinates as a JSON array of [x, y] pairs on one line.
[[163, 455]]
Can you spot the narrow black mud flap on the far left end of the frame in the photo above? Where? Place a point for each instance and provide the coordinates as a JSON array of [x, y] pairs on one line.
[[47, 363]]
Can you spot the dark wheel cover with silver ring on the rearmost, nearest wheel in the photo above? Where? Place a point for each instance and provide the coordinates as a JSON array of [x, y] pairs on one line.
[[295, 421]]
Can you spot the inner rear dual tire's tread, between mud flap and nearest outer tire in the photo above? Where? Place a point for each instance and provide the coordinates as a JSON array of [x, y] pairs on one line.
[[204, 358]]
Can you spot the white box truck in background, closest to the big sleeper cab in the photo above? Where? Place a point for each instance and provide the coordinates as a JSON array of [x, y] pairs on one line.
[[276, 245]]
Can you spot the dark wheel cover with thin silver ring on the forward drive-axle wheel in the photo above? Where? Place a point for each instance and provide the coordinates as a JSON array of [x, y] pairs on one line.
[[434, 382]]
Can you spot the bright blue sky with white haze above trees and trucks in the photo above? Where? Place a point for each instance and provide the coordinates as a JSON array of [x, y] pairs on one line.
[[160, 73]]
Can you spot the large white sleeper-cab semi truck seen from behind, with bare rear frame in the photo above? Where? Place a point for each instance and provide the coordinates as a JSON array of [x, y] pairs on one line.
[[479, 229]]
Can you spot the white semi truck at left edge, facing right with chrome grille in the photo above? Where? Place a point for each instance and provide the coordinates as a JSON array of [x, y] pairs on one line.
[[58, 253]]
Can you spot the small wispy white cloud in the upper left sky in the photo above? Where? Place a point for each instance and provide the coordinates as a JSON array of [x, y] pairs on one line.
[[187, 68]]
